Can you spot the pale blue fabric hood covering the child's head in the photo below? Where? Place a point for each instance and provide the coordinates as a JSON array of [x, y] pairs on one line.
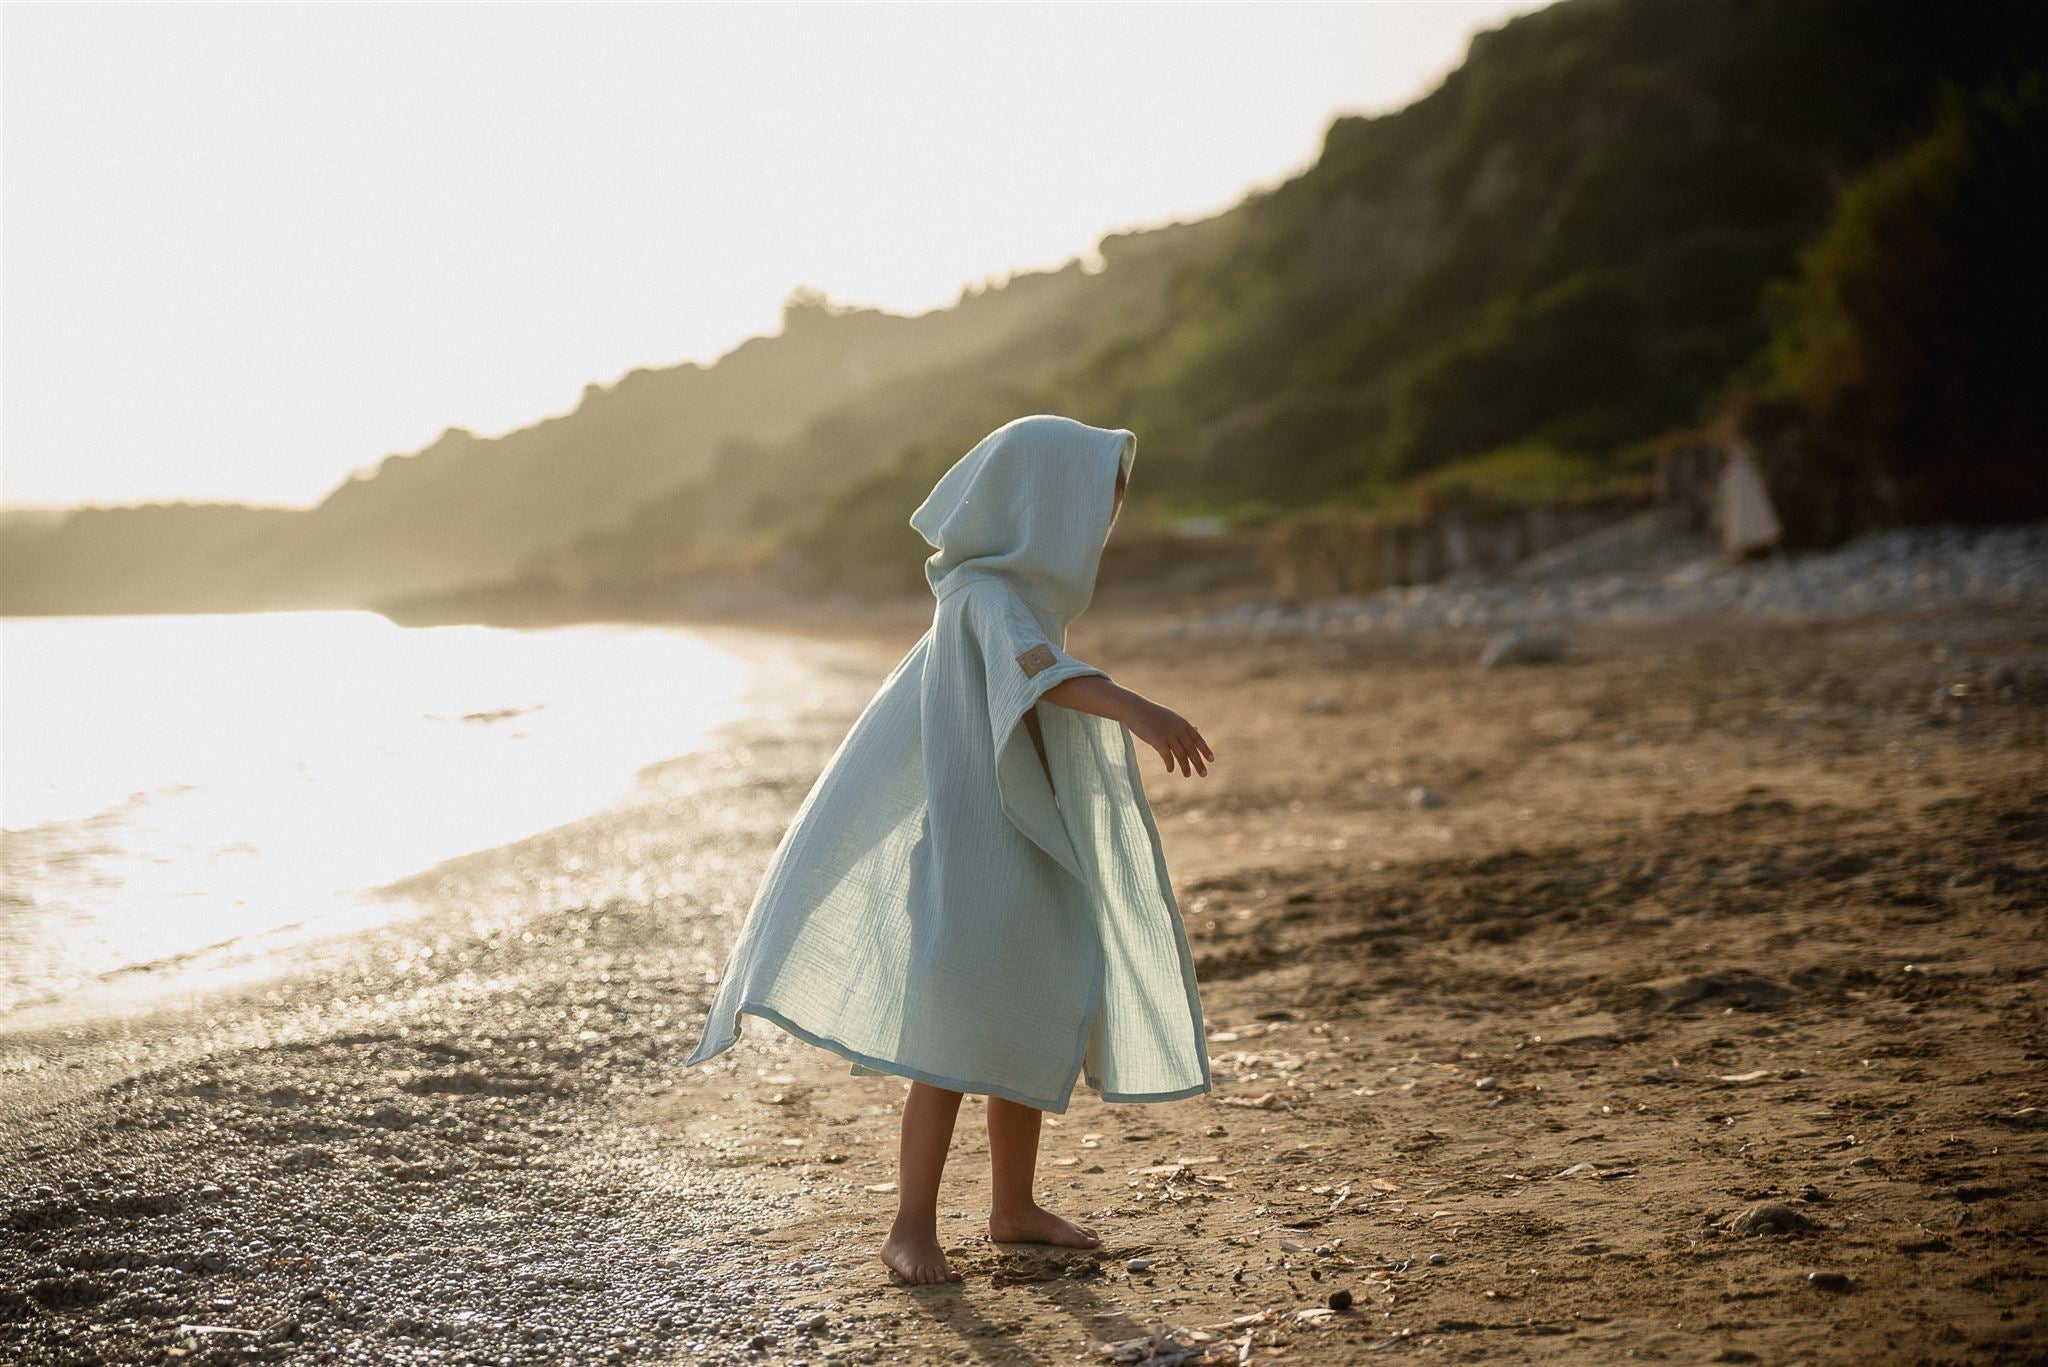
[[1031, 505]]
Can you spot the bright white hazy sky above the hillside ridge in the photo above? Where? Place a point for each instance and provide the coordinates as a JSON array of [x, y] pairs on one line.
[[249, 249]]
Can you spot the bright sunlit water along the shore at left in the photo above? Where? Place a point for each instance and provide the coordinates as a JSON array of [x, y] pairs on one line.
[[175, 788]]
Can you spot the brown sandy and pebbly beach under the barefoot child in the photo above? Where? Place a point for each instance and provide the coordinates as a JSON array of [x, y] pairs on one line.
[[1705, 919]]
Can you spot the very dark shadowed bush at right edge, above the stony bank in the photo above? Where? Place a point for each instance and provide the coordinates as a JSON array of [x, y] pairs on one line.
[[1908, 366]]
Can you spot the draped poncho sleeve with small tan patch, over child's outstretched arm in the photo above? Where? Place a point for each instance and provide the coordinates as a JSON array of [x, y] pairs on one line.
[[1021, 661]]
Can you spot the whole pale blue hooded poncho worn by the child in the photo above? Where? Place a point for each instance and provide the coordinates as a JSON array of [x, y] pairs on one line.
[[941, 909]]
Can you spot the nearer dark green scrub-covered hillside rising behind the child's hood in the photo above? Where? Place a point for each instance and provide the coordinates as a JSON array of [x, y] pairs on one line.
[[1568, 249]]
